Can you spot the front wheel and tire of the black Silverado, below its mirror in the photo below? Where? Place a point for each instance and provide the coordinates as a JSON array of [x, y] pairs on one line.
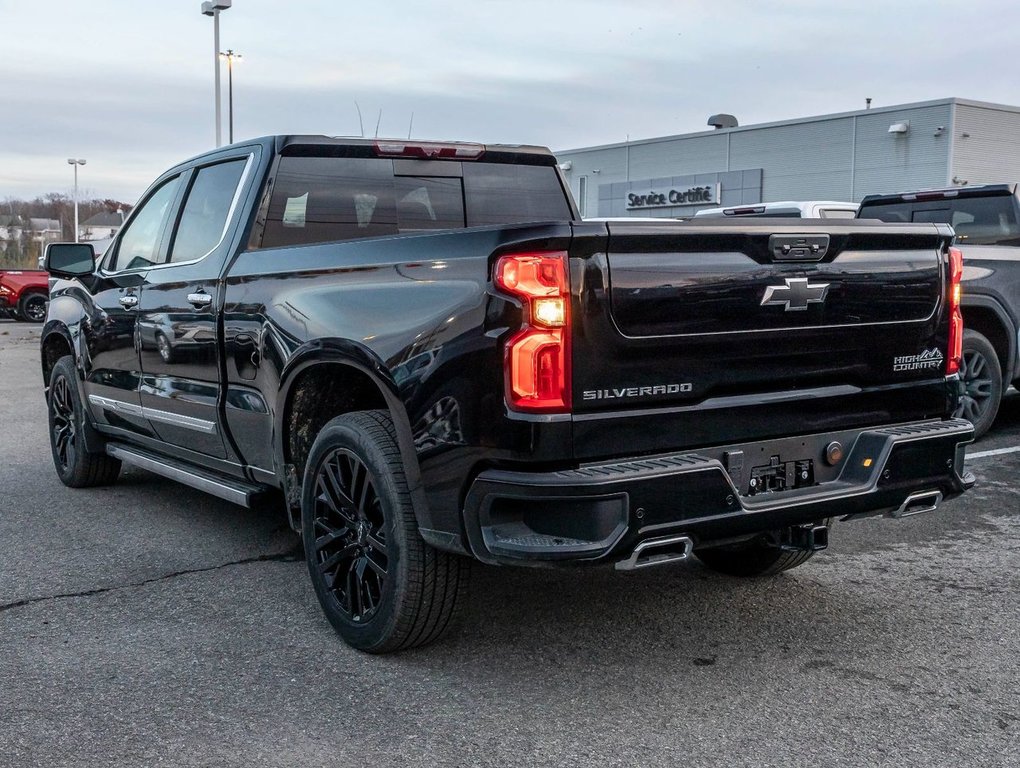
[[77, 467]]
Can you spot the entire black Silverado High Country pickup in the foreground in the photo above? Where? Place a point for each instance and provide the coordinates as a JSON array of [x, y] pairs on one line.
[[422, 352]]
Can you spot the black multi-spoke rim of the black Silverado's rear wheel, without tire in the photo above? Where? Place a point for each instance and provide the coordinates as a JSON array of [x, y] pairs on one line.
[[350, 536]]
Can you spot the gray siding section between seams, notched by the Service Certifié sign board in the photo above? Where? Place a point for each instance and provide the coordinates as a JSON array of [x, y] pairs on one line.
[[806, 162]]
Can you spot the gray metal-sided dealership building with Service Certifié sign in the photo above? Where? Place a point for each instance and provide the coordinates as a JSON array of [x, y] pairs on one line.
[[846, 157]]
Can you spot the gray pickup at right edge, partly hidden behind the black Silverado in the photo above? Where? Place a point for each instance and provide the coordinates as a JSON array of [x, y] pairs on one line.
[[987, 221]]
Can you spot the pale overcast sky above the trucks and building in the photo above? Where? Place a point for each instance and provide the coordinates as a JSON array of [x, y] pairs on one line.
[[128, 85]]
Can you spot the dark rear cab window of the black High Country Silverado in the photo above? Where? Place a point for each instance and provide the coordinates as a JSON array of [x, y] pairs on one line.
[[328, 199]]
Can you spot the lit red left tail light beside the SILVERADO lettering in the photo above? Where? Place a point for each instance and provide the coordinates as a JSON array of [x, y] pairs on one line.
[[538, 360]]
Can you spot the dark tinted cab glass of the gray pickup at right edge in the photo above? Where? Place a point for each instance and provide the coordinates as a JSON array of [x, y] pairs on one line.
[[979, 221]]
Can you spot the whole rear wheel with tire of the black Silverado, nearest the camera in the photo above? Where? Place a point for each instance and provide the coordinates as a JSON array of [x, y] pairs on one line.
[[380, 585]]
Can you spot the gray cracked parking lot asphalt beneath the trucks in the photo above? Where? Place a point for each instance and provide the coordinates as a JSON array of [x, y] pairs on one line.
[[149, 625]]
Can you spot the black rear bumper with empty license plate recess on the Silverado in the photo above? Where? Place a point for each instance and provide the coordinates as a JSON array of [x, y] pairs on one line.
[[603, 511]]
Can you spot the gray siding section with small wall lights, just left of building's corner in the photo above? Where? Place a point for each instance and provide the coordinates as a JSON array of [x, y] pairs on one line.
[[894, 163]]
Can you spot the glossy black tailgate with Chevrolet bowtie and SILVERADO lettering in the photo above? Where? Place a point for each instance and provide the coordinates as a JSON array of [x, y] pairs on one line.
[[703, 334]]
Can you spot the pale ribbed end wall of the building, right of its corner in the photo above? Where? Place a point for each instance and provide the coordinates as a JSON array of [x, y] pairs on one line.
[[986, 145]]
